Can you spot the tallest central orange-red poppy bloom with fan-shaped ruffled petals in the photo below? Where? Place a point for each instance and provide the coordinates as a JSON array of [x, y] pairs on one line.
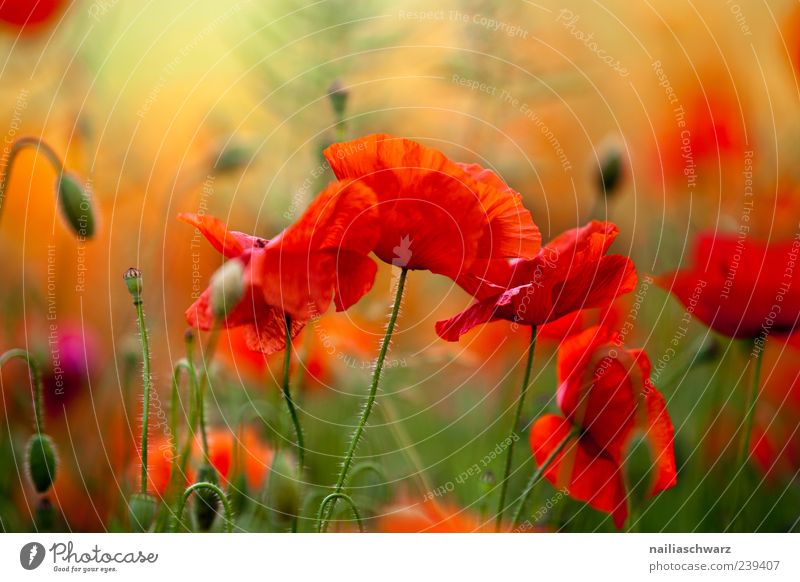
[[436, 214]]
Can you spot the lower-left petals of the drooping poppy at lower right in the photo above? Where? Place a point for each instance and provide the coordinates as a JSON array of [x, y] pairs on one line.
[[580, 467]]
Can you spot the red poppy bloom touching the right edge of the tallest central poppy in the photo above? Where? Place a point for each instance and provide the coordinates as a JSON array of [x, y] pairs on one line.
[[568, 274]]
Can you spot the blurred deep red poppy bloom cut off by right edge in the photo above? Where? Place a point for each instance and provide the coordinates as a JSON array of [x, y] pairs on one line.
[[740, 287]]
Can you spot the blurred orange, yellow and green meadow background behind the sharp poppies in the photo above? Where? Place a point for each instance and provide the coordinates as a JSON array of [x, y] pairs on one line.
[[223, 108]]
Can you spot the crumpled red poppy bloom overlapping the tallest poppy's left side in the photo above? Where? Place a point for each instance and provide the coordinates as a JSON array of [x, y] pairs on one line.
[[320, 258]]
